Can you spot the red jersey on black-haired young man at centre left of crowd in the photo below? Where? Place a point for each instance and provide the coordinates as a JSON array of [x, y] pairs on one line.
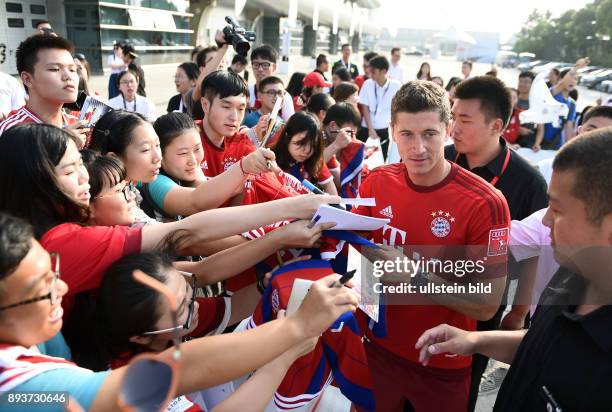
[[219, 159]]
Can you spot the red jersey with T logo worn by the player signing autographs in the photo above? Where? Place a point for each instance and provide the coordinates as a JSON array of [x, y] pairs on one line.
[[463, 209]]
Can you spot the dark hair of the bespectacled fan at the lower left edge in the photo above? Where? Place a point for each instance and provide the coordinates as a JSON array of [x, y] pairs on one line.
[[15, 243]]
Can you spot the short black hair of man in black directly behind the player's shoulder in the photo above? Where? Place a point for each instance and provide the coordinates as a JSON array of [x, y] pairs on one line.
[[495, 100]]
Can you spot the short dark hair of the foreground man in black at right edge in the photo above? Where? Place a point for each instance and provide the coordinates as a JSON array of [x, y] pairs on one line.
[[588, 155]]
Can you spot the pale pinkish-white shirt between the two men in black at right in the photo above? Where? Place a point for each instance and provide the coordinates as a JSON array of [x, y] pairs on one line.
[[529, 238]]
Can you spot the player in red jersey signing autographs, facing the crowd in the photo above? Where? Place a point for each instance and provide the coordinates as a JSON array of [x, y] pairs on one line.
[[437, 210]]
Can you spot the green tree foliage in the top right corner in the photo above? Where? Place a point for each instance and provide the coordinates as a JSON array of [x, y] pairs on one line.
[[574, 34]]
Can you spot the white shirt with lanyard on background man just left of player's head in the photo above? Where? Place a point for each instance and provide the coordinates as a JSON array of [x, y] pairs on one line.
[[378, 99]]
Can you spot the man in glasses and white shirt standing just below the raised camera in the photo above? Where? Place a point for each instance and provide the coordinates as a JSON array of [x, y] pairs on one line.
[[263, 63]]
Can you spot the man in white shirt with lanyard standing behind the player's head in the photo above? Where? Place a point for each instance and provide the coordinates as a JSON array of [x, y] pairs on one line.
[[375, 100]]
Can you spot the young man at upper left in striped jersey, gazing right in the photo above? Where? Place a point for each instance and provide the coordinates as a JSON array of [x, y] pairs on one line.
[[49, 75]]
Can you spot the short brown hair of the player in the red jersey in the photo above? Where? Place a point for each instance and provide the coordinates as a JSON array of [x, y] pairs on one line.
[[421, 96]]
